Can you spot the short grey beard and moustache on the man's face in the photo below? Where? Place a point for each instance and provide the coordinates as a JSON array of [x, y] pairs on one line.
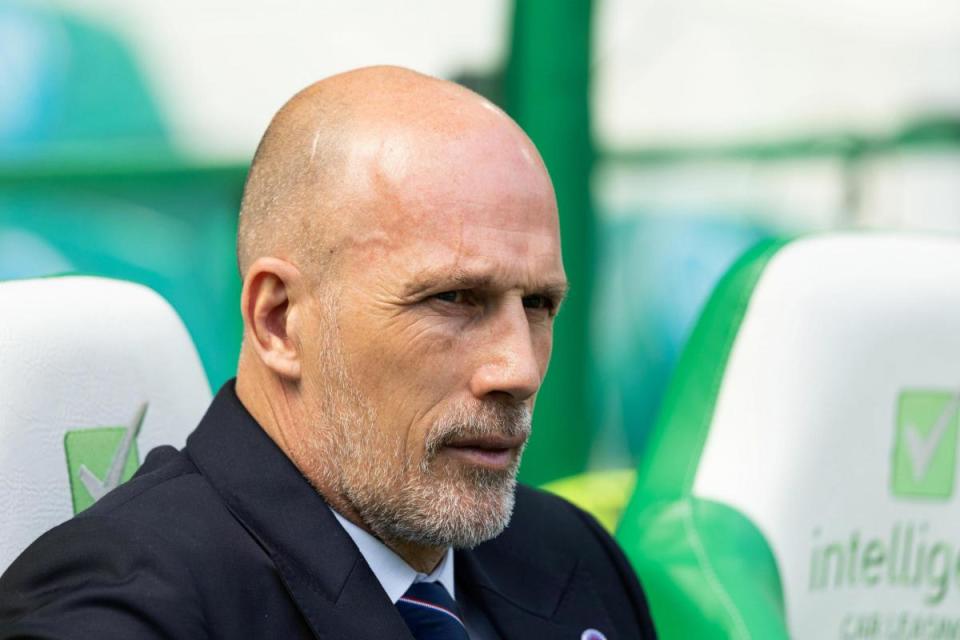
[[426, 503]]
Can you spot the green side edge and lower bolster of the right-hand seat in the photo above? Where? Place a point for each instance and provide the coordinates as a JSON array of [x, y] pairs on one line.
[[708, 571]]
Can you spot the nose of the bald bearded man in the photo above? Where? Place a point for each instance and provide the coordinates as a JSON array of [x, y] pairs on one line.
[[507, 356]]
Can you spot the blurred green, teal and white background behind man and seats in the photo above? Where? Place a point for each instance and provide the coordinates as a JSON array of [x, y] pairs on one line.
[[677, 133]]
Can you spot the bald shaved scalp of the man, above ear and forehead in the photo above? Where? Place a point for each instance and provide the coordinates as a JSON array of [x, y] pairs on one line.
[[344, 140]]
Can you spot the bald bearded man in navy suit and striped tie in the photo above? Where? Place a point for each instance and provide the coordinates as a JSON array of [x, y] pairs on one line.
[[401, 264]]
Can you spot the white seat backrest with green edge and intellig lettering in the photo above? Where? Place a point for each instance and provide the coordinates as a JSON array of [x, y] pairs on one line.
[[820, 399]]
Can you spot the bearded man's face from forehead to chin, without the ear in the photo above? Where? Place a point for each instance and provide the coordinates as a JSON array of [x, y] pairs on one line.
[[434, 339]]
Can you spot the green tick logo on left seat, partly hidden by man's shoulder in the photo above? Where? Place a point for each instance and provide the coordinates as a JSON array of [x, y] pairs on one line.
[[99, 459]]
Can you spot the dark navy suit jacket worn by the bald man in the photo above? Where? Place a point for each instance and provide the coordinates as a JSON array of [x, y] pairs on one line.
[[225, 539]]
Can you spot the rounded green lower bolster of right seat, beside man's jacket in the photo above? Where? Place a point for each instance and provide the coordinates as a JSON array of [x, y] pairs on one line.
[[707, 570]]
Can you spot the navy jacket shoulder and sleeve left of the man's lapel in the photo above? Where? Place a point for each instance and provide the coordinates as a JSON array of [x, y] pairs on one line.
[[161, 555]]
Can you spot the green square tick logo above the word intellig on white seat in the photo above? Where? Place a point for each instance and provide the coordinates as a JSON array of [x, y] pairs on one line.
[[925, 451]]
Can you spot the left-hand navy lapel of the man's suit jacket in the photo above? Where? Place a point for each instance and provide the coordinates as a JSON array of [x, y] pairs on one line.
[[321, 567]]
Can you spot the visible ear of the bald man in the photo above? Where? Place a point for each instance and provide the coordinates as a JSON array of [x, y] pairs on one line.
[[269, 304]]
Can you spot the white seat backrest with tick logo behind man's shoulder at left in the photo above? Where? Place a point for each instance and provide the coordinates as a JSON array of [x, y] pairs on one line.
[[93, 374]]
